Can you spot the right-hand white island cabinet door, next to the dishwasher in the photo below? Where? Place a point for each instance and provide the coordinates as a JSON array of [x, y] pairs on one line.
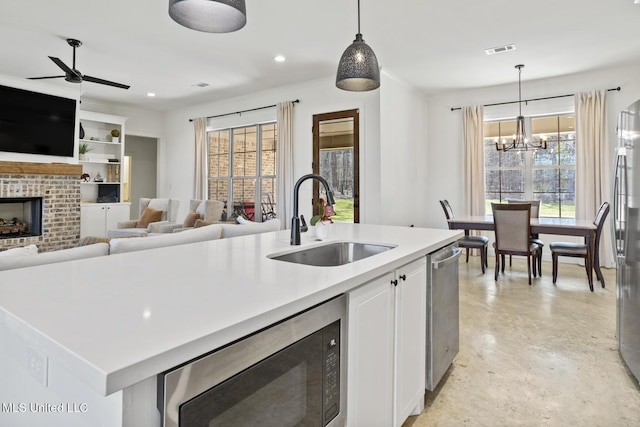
[[410, 338]]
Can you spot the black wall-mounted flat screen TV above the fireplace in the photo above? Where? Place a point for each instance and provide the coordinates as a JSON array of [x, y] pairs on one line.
[[36, 123]]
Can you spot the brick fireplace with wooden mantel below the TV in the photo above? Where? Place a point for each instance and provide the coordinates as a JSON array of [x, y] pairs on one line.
[[58, 188]]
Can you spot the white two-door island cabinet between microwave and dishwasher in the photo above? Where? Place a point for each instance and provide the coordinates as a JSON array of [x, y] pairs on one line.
[[386, 347]]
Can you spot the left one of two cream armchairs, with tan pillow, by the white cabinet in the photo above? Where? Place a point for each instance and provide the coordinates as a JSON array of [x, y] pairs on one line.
[[153, 214]]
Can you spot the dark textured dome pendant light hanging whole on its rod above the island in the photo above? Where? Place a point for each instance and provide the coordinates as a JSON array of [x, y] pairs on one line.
[[358, 69]]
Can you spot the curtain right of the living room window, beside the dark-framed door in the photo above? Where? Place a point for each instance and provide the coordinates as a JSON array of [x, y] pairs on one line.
[[284, 174]]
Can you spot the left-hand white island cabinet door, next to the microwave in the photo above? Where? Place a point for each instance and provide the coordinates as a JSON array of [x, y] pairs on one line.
[[370, 354]]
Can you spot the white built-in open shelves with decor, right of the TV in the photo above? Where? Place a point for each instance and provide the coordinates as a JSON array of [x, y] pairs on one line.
[[103, 160]]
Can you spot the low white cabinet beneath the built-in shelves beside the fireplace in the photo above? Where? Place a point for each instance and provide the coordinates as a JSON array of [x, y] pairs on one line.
[[98, 218]]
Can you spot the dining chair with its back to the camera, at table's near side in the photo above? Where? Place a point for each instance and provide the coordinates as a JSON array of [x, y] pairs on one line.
[[512, 224]]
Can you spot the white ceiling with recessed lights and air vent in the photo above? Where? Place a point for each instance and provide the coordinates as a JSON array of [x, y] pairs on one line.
[[435, 46]]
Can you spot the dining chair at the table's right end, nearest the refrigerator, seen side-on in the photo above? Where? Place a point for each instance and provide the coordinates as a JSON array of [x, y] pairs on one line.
[[580, 250]]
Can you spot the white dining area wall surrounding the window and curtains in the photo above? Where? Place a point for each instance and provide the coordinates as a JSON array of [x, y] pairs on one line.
[[445, 130]]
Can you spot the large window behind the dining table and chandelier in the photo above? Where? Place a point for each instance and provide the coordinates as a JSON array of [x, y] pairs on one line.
[[545, 175]]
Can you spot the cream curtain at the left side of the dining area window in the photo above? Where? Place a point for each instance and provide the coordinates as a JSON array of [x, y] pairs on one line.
[[473, 154]]
